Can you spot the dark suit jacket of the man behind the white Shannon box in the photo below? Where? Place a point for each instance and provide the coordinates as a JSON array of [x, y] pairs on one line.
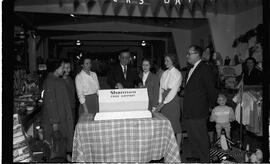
[[116, 75]]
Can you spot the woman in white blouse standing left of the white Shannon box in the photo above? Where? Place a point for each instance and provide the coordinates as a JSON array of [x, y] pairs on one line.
[[87, 87]]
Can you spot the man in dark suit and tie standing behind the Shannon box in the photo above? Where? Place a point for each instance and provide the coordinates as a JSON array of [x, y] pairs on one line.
[[122, 75]]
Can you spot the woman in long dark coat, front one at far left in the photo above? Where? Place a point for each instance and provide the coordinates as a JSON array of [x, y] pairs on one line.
[[57, 114]]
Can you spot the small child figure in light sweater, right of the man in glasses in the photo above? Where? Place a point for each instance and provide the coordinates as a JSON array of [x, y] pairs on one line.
[[222, 115]]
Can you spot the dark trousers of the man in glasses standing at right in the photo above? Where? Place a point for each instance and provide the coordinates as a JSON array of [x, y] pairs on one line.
[[198, 138]]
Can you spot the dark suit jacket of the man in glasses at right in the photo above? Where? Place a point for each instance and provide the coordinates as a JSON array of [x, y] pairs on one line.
[[200, 93]]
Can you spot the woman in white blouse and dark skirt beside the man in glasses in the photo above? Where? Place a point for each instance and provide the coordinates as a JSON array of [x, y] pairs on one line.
[[169, 103]]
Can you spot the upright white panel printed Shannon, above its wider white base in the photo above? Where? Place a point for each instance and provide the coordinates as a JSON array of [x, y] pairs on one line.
[[117, 100]]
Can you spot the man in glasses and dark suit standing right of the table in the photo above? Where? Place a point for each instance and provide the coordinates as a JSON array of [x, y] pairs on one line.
[[200, 95]]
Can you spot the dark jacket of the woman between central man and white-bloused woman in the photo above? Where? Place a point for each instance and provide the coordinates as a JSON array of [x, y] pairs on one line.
[[152, 85]]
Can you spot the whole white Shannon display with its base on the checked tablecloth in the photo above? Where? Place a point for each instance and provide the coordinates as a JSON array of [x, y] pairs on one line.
[[123, 104]]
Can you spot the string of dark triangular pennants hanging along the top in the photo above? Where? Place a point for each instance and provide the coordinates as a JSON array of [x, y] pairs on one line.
[[143, 5]]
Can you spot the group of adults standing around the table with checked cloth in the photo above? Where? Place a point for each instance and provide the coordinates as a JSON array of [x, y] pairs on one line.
[[199, 95]]
